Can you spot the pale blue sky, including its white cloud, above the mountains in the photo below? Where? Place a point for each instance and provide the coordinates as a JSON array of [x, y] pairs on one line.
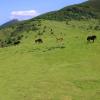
[[26, 9]]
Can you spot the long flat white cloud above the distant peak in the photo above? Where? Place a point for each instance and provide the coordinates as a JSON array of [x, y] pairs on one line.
[[24, 14]]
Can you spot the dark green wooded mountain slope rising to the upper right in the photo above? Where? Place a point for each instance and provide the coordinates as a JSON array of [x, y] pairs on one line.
[[85, 10]]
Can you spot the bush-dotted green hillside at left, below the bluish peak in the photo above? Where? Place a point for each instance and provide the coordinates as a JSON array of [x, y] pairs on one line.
[[12, 34]]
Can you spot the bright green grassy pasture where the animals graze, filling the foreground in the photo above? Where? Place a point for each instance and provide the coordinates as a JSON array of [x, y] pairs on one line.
[[52, 70]]
